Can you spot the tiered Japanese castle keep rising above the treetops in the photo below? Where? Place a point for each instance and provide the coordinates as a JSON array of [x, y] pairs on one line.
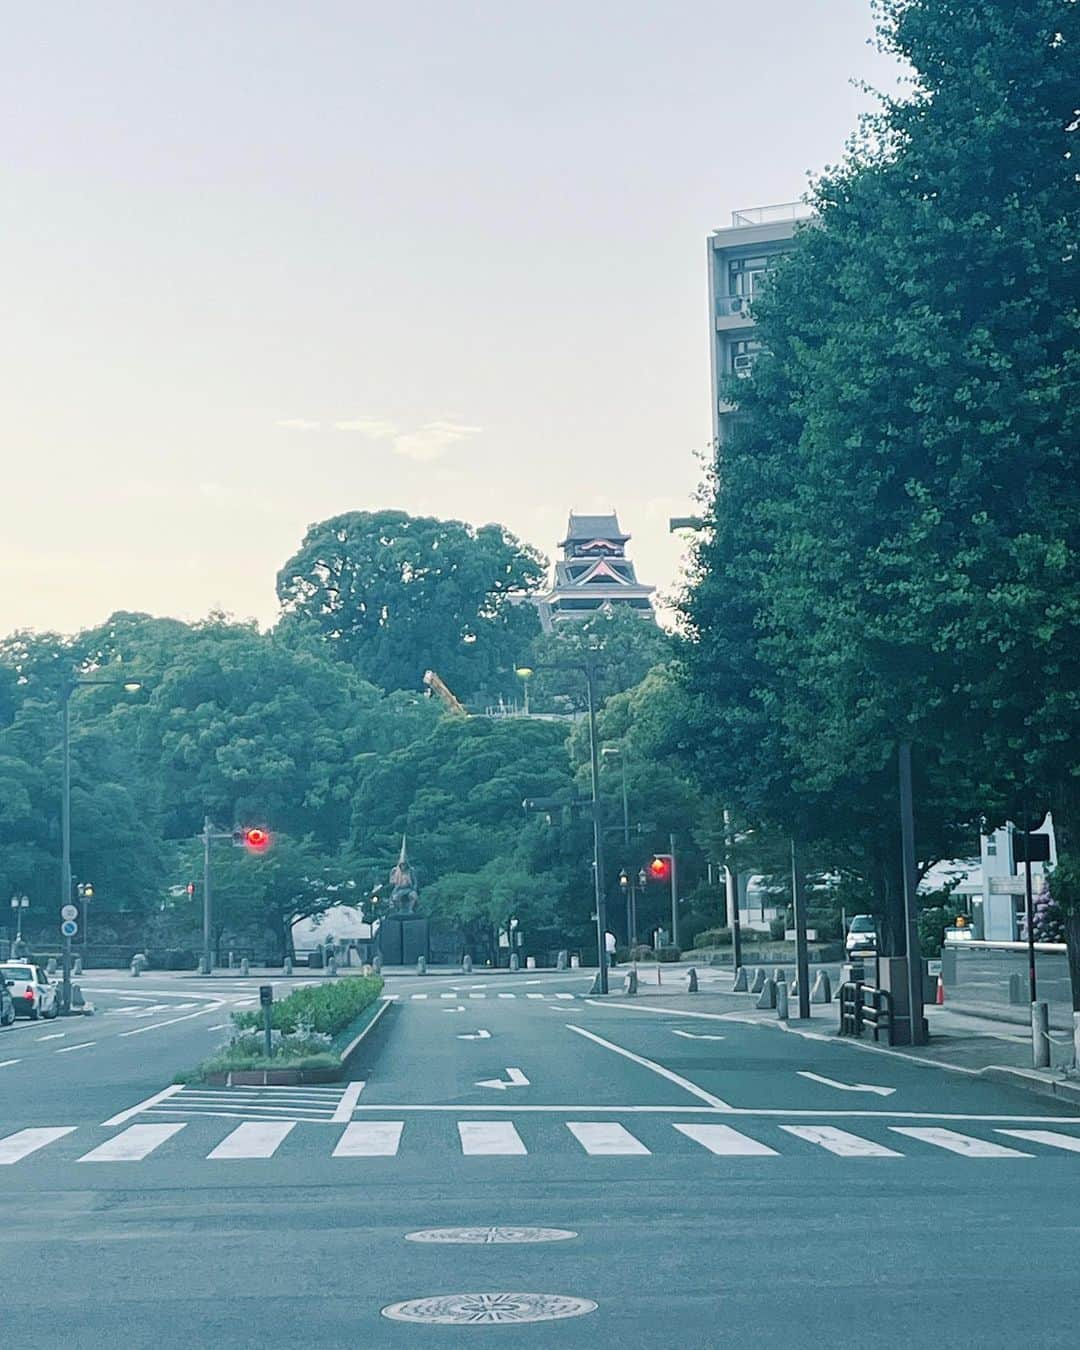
[[593, 574]]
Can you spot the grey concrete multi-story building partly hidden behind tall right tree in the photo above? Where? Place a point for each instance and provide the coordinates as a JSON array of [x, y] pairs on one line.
[[739, 259]]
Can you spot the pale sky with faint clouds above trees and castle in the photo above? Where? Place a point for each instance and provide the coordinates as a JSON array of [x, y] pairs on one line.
[[268, 263]]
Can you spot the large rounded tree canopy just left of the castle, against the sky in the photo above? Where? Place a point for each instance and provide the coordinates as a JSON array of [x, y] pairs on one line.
[[398, 595]]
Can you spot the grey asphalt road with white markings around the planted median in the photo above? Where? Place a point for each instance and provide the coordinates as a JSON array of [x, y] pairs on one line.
[[712, 1183]]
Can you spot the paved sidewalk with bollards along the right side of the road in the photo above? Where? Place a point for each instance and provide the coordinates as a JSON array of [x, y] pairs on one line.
[[963, 1042]]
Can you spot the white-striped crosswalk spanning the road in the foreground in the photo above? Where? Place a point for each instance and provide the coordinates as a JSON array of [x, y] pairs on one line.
[[264, 1140]]
